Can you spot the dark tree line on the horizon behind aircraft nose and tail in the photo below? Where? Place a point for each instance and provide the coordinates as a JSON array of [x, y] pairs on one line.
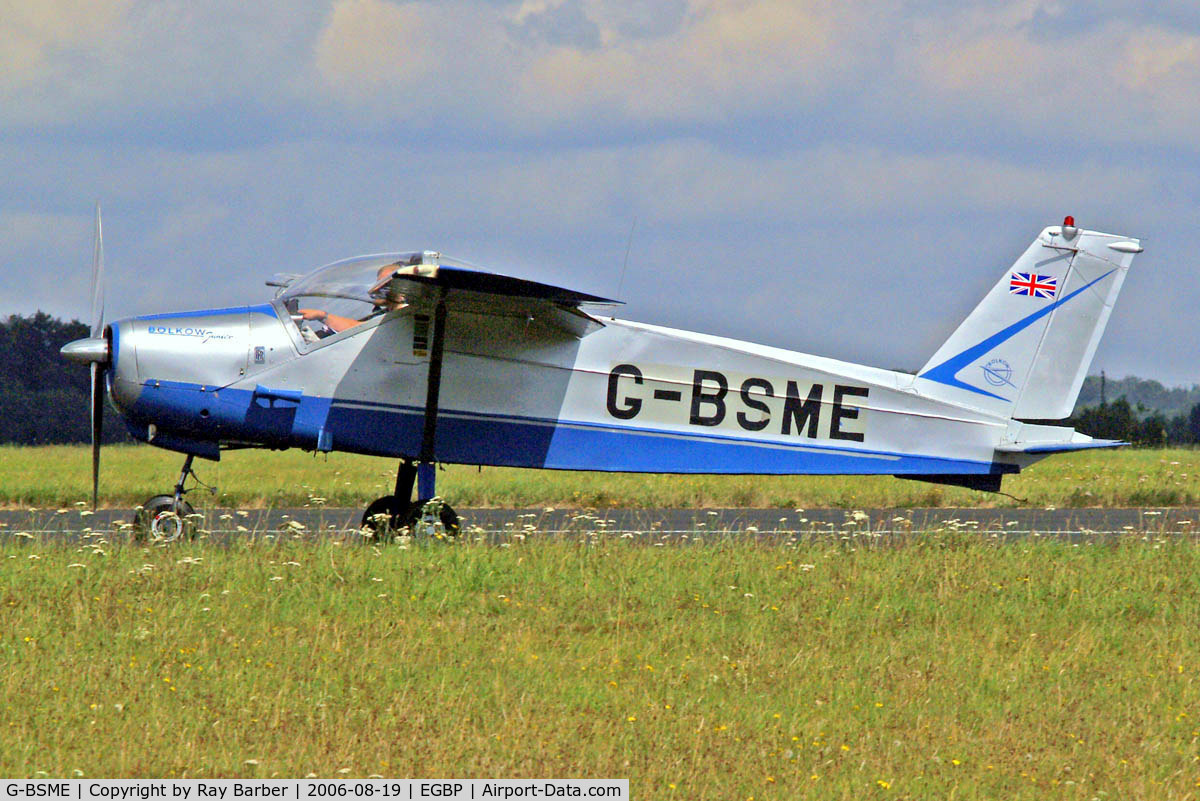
[[44, 399]]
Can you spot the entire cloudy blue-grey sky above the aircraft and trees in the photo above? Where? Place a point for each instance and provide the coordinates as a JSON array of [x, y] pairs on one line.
[[843, 180]]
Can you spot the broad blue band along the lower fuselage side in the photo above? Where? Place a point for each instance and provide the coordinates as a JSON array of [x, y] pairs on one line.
[[476, 438]]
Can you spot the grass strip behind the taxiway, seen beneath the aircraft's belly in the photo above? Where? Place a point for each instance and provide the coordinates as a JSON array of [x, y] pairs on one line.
[[61, 477]]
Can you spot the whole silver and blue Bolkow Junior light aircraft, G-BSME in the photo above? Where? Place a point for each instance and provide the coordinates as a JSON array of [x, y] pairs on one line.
[[430, 360]]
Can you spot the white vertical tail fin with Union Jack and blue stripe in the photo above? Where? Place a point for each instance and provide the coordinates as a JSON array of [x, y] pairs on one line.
[[1024, 352]]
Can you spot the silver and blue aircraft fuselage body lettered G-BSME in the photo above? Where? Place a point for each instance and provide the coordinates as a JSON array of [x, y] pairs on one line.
[[559, 392]]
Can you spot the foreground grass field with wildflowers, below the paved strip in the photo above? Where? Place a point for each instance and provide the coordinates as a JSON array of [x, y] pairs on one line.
[[945, 667]]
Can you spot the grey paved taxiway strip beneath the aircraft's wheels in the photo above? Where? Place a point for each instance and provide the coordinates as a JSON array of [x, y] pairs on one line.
[[1011, 522]]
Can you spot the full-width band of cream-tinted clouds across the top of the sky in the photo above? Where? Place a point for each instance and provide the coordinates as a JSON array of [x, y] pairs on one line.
[[977, 76]]
